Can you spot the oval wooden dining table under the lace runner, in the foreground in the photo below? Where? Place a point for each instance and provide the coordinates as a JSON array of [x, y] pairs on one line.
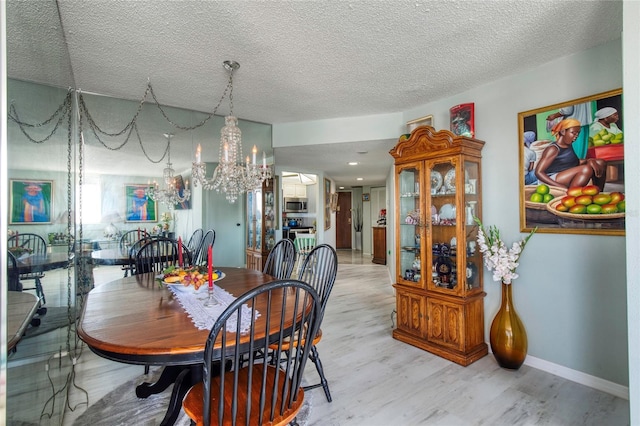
[[137, 320]]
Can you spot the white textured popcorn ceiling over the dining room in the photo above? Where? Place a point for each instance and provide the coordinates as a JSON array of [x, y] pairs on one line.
[[300, 60]]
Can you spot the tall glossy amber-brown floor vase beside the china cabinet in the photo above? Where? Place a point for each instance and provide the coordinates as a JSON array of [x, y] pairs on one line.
[[508, 336]]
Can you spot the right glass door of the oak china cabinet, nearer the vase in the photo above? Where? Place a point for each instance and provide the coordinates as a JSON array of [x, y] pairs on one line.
[[444, 222]]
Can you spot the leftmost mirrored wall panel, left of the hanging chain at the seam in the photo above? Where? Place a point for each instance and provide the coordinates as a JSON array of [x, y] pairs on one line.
[[36, 51]]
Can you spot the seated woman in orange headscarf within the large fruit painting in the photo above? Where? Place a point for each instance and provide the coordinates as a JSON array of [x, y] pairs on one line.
[[560, 166]]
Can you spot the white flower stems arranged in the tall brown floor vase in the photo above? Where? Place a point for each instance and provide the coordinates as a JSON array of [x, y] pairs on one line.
[[497, 258]]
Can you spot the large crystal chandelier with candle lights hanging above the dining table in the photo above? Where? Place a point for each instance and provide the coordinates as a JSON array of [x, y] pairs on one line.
[[233, 176]]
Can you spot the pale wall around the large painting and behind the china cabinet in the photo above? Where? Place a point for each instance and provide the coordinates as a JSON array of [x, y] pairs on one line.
[[572, 291]]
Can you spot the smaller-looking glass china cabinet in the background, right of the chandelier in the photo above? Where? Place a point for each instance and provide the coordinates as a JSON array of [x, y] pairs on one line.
[[261, 223]]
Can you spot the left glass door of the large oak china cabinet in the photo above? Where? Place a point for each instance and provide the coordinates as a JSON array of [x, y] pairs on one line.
[[410, 225]]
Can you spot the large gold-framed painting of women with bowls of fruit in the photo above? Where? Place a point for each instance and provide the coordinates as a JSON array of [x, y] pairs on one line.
[[572, 166]]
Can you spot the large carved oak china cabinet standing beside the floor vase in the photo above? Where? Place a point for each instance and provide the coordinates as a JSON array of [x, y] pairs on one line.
[[439, 289]]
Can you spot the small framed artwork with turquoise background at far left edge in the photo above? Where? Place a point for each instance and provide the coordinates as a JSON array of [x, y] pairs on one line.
[[31, 201]]
